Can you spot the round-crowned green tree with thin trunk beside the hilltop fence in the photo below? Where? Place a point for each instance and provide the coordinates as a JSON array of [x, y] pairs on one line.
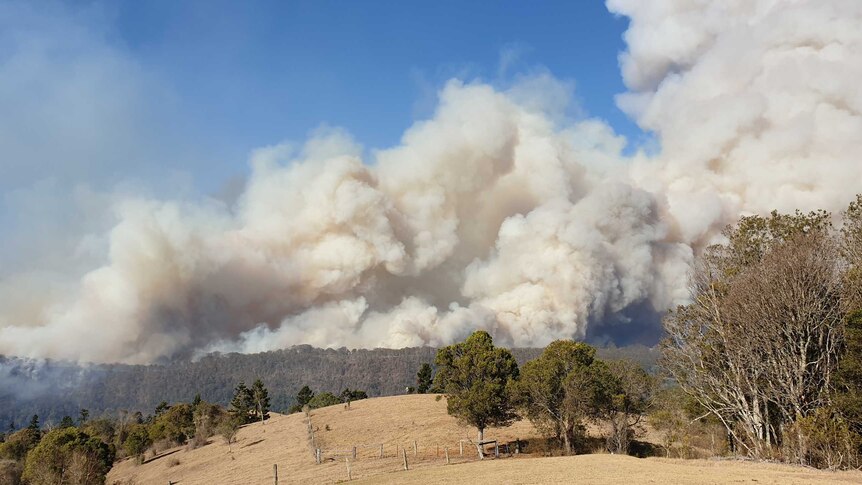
[[477, 378]]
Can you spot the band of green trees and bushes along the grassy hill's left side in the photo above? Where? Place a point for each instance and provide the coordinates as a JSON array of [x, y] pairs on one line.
[[82, 452]]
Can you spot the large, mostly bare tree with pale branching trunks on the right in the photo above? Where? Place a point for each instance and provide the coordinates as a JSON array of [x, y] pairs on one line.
[[758, 345]]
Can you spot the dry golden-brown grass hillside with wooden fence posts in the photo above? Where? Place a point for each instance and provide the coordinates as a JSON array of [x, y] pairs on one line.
[[395, 422]]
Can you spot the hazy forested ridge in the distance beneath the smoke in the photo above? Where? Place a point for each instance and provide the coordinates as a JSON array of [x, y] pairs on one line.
[[53, 389]]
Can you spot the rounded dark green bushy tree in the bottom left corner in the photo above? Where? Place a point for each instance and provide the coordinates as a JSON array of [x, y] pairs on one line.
[[68, 456]]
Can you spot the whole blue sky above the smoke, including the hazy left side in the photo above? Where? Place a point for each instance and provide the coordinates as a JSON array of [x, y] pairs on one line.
[[102, 92]]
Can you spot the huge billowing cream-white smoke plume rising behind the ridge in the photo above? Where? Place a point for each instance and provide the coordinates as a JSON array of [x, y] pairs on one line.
[[497, 213]]
